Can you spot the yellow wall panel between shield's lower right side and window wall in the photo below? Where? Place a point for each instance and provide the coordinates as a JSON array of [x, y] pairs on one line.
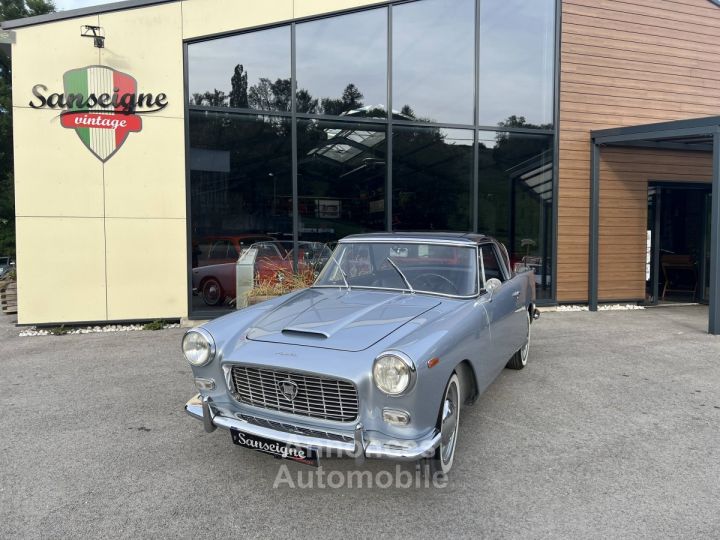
[[146, 178]]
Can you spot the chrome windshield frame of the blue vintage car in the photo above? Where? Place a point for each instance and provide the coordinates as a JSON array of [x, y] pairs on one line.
[[445, 242]]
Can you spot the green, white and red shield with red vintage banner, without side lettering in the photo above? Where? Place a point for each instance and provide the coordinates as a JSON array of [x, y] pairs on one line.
[[103, 124]]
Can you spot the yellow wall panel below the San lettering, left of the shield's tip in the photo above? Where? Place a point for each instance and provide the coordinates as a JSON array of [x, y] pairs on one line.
[[55, 174]]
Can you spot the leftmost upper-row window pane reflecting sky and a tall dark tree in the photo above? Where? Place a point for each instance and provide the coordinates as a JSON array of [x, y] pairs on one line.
[[247, 71]]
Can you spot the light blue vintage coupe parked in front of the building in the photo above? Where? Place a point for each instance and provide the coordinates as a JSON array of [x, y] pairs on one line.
[[376, 359]]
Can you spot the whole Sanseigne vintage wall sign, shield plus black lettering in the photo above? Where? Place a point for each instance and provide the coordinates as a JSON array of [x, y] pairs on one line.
[[102, 105]]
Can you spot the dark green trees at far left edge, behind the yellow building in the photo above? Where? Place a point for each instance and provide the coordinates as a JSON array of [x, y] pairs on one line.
[[9, 10]]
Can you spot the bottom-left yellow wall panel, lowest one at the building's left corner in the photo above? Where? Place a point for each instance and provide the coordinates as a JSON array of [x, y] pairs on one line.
[[61, 270]]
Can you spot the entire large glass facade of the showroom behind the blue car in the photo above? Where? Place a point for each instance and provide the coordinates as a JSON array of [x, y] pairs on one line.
[[291, 140]]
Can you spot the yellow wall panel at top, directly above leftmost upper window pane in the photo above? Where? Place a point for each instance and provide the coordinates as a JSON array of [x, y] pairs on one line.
[[204, 17]]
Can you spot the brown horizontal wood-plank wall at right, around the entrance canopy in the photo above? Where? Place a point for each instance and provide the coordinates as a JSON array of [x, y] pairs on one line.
[[625, 63]]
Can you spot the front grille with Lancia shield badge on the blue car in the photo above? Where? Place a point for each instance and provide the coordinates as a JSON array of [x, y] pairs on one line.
[[316, 397]]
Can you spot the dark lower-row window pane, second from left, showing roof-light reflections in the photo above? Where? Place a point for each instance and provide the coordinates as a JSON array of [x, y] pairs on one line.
[[341, 179]]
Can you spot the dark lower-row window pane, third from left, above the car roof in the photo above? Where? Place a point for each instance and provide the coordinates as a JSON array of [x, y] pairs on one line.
[[432, 178]]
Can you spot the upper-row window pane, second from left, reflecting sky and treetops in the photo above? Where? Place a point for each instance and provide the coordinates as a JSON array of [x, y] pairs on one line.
[[342, 64]]
